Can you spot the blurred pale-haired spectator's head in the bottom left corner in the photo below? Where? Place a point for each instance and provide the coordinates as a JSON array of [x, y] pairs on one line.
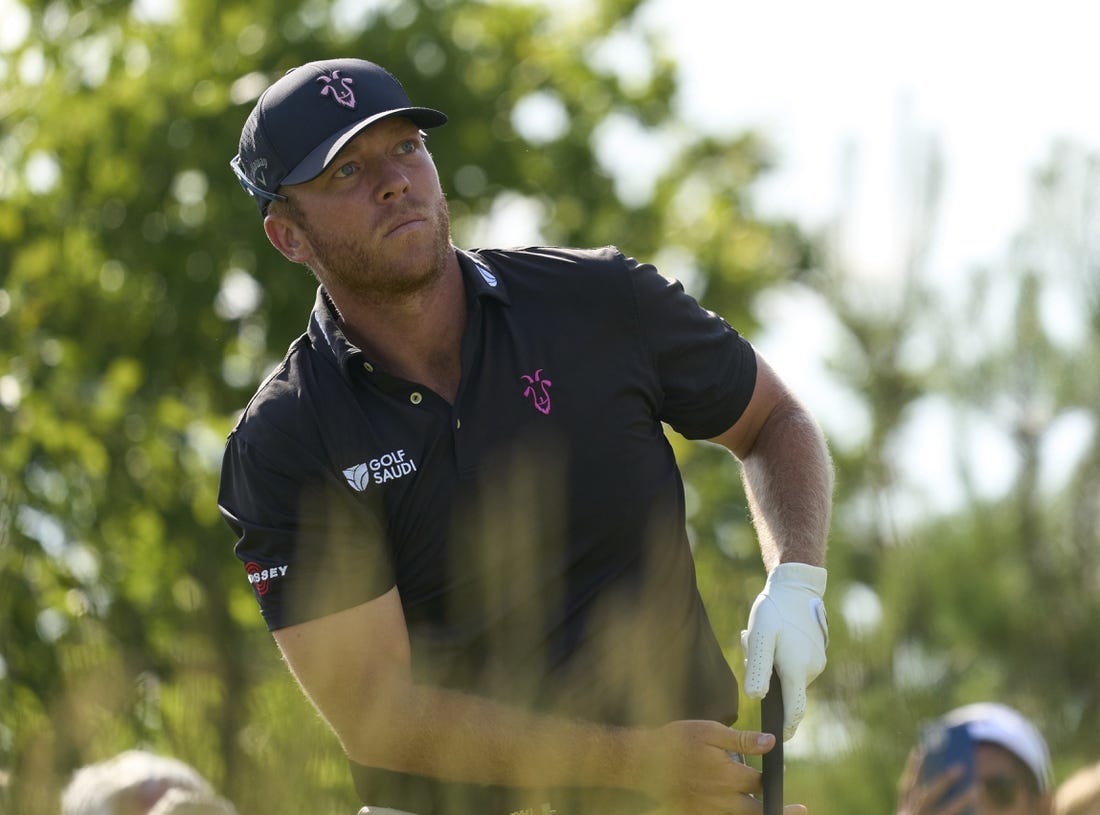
[[137, 783]]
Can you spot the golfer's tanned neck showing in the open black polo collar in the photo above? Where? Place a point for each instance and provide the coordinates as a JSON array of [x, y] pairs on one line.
[[417, 337]]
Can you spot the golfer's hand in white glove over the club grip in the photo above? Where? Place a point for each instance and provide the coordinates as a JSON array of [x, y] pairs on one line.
[[788, 631]]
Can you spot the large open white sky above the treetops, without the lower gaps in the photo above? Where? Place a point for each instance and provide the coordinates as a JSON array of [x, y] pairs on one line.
[[997, 83]]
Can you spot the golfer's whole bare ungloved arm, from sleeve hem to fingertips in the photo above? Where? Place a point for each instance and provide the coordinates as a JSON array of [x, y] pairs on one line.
[[355, 667]]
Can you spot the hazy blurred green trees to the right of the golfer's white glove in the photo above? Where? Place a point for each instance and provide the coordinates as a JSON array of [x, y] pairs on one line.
[[993, 597]]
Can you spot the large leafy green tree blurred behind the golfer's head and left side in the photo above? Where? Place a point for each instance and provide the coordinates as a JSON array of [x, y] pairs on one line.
[[140, 305]]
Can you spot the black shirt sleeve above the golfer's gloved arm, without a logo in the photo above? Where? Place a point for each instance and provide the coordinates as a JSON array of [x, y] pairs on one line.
[[707, 370]]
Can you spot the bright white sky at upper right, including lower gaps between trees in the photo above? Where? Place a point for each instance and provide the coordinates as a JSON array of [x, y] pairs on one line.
[[996, 84]]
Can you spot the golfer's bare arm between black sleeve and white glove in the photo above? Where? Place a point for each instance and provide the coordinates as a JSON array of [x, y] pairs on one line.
[[787, 471]]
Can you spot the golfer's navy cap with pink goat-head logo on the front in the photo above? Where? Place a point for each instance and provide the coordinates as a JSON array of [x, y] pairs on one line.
[[302, 122]]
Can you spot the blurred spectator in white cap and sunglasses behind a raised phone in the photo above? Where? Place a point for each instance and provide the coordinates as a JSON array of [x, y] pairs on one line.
[[1011, 766]]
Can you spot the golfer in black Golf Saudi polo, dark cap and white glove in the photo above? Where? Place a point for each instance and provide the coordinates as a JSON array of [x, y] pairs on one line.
[[457, 505]]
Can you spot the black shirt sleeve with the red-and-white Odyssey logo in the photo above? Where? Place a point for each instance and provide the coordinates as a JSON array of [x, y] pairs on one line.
[[309, 545]]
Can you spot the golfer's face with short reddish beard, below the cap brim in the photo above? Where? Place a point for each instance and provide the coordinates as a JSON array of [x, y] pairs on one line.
[[375, 225]]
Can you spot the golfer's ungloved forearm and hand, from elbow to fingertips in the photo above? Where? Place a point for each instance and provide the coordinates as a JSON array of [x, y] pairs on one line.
[[455, 736]]
